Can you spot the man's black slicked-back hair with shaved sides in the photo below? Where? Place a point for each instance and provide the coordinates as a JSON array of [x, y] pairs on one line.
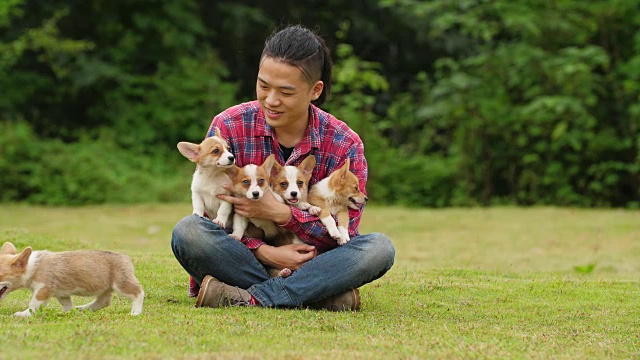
[[304, 49]]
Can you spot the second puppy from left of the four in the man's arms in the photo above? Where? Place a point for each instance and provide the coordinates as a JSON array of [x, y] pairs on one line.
[[251, 181]]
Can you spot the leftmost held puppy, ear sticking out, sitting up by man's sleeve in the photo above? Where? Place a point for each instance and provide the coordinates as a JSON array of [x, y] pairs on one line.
[[212, 157]]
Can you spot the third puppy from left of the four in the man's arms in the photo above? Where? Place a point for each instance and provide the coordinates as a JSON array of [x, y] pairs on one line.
[[290, 185]]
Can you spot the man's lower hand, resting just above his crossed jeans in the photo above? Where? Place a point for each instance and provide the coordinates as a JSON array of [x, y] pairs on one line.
[[291, 256]]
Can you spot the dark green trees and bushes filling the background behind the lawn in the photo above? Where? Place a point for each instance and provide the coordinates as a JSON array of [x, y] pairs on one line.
[[475, 102]]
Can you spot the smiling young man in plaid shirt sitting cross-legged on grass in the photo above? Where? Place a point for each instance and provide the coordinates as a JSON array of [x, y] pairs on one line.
[[294, 77]]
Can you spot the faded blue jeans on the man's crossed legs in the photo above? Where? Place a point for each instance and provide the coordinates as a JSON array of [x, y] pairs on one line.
[[203, 248]]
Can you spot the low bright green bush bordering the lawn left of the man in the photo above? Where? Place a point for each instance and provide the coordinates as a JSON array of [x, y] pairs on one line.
[[86, 172]]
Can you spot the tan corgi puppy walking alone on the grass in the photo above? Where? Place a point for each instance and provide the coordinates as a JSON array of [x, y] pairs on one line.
[[60, 275]]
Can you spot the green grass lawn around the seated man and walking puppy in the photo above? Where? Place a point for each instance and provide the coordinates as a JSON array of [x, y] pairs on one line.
[[467, 283]]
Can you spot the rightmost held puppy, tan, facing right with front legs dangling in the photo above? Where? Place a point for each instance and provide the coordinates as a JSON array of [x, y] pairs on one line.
[[335, 194]]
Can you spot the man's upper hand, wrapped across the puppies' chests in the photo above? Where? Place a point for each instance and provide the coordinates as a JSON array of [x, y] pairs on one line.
[[267, 207]]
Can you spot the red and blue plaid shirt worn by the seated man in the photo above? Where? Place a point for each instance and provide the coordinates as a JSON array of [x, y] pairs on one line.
[[330, 140]]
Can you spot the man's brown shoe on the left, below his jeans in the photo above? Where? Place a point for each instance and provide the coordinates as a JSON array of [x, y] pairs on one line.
[[214, 293]]
